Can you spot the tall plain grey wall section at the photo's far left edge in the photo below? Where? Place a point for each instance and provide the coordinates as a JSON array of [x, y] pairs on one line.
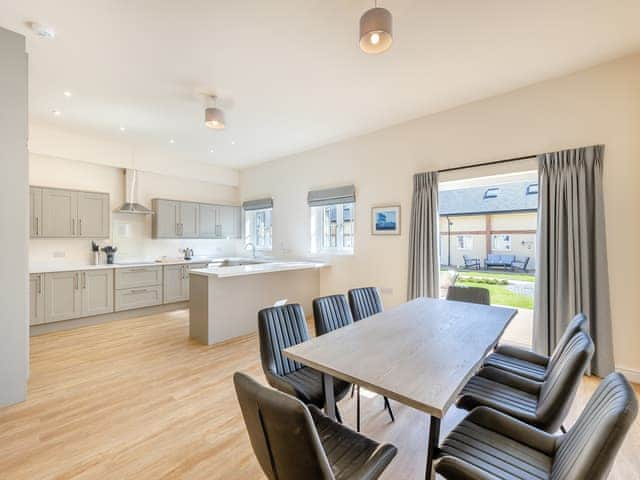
[[14, 208]]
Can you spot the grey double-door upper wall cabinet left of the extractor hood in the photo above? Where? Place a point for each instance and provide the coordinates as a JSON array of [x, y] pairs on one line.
[[68, 213]]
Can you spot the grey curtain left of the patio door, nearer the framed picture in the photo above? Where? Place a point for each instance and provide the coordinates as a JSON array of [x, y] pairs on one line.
[[424, 263]]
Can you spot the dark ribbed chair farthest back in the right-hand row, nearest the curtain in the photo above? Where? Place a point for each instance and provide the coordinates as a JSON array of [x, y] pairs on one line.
[[529, 364]]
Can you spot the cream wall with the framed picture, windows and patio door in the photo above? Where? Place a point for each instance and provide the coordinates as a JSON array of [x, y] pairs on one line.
[[599, 105]]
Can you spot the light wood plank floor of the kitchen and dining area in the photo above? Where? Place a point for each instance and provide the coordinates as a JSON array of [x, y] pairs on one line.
[[137, 399]]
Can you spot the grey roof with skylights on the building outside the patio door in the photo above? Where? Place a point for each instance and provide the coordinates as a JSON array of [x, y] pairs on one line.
[[502, 198]]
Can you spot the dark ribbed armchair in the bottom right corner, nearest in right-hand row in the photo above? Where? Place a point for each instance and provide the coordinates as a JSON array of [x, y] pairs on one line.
[[488, 444]]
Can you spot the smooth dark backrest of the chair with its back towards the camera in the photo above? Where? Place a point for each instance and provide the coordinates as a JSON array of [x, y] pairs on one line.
[[282, 432]]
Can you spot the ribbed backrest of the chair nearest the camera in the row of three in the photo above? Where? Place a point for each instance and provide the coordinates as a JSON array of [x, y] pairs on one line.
[[279, 328]]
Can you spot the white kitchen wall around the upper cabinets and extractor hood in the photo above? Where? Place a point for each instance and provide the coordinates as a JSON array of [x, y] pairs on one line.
[[130, 233]]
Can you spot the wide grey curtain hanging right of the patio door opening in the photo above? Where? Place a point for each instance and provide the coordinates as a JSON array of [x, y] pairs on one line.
[[572, 256]]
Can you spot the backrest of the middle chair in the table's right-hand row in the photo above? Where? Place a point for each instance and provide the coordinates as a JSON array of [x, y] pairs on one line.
[[562, 381]]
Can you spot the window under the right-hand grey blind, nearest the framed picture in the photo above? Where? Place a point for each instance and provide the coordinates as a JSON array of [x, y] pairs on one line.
[[333, 228]]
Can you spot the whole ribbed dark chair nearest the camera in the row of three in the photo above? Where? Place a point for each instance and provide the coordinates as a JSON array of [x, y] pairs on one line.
[[282, 327]]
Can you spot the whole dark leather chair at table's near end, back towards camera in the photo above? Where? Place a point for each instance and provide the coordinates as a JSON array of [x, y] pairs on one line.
[[293, 441]]
